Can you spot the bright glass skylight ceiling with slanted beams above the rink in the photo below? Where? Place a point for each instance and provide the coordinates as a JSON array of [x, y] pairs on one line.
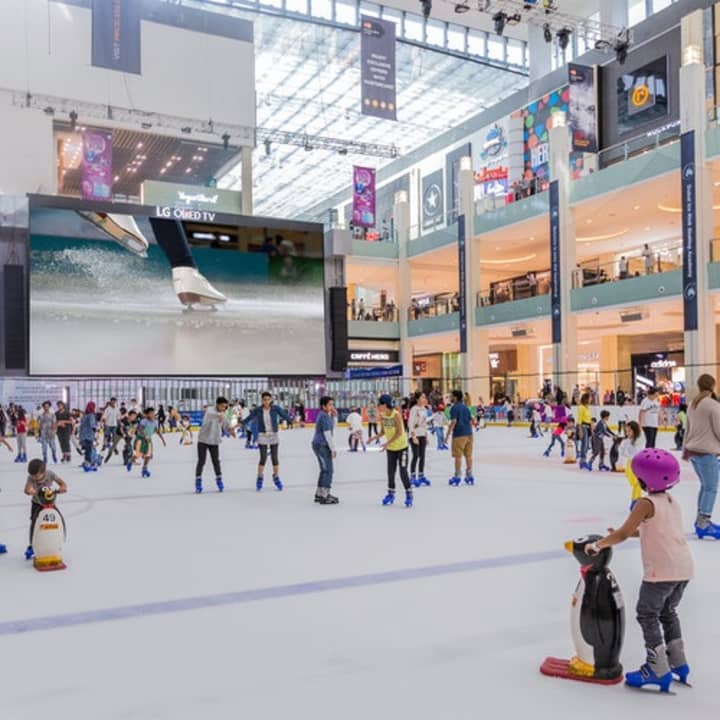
[[308, 81]]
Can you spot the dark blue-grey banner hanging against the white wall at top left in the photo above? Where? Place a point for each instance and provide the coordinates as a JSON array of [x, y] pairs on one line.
[[116, 35]]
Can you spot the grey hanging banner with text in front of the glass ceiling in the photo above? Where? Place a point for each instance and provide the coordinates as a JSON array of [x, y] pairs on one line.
[[377, 67]]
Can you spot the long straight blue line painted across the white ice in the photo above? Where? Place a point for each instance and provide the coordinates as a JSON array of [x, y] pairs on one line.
[[167, 607]]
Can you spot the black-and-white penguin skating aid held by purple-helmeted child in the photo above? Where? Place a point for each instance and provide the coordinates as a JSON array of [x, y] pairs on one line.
[[597, 622]]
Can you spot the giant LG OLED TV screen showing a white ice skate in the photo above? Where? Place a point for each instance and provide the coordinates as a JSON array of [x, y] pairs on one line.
[[130, 290]]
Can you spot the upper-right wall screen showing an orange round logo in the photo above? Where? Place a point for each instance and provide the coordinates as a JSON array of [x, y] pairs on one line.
[[642, 95]]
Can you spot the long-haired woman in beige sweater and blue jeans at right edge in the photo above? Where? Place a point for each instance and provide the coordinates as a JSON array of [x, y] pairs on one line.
[[702, 446]]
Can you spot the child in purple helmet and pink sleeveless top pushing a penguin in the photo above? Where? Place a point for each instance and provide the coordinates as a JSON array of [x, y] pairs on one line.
[[657, 520]]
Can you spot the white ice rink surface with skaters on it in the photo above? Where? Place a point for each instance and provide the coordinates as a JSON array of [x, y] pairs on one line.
[[267, 606]]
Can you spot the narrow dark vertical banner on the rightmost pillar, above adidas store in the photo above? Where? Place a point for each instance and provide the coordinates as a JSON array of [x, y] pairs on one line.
[[689, 218]]
